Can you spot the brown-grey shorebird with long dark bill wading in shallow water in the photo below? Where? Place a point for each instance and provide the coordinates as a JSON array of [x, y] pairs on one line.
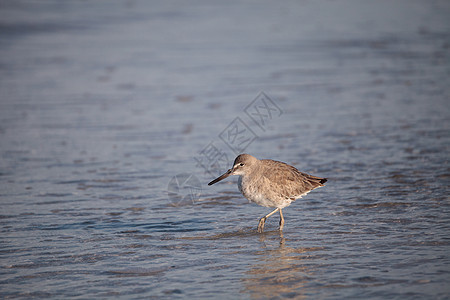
[[270, 183]]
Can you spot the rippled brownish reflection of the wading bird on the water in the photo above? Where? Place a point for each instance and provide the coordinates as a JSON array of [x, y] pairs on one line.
[[281, 270]]
